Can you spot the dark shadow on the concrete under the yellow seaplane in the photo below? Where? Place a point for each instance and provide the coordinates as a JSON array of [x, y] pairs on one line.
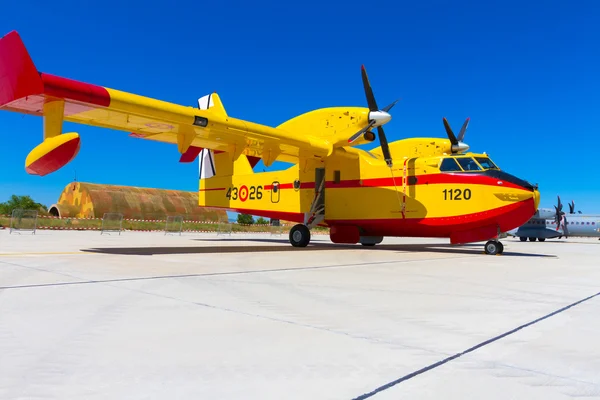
[[471, 249]]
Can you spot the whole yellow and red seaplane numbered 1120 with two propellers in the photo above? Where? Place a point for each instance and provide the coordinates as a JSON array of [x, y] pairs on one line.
[[423, 187]]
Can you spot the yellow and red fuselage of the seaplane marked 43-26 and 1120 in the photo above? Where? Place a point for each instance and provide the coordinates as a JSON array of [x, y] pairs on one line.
[[421, 196]]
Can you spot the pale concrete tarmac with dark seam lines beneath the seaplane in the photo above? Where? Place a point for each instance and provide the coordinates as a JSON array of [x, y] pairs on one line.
[[148, 316]]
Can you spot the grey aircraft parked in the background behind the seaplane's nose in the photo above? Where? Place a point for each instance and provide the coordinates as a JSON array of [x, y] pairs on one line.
[[548, 224]]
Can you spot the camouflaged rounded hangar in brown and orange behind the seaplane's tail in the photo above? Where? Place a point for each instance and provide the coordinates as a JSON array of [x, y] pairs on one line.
[[91, 200]]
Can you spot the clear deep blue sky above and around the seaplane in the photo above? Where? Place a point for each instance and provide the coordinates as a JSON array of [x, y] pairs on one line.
[[526, 72]]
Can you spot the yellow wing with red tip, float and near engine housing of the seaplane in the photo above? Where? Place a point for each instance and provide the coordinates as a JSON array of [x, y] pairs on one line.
[[23, 89]]
